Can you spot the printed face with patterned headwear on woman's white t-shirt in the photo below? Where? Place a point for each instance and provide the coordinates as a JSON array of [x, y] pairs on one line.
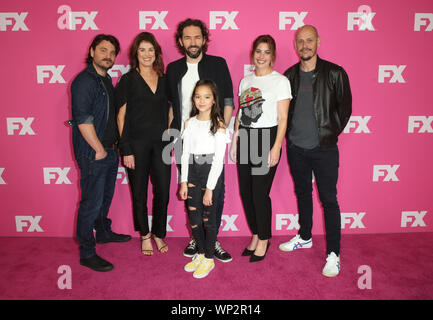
[[251, 104]]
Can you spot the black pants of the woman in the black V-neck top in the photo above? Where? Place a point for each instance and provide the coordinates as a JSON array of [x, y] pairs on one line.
[[148, 162]]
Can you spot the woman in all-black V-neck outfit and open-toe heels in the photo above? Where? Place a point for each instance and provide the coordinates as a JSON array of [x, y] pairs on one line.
[[142, 118]]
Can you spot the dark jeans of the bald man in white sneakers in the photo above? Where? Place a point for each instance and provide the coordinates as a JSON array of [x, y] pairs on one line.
[[324, 163]]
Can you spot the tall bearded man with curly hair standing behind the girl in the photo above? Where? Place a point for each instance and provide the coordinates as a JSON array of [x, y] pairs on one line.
[[192, 38]]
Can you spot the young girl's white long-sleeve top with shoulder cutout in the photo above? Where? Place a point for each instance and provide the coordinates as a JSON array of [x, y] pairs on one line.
[[198, 140]]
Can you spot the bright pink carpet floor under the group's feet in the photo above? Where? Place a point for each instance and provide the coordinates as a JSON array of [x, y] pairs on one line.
[[401, 268]]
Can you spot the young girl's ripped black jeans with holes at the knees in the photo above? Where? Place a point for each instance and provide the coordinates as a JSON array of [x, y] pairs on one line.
[[201, 217]]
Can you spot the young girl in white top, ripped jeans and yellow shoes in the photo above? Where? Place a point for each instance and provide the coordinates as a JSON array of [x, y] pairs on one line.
[[204, 146]]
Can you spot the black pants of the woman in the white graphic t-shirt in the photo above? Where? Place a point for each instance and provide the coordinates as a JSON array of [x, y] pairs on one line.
[[255, 178]]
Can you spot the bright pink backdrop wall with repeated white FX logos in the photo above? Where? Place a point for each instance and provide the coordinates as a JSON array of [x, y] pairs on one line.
[[385, 154]]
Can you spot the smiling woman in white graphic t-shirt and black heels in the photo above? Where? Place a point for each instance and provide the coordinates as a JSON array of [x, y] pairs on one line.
[[262, 118]]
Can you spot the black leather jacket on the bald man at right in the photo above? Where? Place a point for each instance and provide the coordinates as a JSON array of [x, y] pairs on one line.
[[332, 99]]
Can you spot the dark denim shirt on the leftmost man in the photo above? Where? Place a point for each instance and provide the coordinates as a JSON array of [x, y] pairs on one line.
[[90, 105]]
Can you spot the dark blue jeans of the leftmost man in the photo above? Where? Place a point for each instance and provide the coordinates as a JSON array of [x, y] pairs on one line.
[[97, 181]]
